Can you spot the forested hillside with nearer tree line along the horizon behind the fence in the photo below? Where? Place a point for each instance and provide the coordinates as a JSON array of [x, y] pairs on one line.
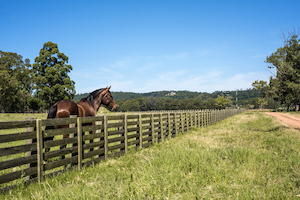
[[183, 100]]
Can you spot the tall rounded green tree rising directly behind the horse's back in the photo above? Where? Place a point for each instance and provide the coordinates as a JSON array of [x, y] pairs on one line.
[[52, 82]]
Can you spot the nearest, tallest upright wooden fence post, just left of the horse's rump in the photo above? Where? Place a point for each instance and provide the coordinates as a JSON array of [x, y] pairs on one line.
[[40, 161]]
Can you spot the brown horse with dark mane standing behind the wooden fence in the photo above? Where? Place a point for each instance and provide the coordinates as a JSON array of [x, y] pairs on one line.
[[86, 107]]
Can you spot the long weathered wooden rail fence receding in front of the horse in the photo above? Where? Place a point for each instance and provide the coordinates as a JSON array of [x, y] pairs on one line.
[[22, 152]]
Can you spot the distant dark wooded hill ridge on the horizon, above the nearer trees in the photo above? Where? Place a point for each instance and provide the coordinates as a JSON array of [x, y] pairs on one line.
[[242, 95]]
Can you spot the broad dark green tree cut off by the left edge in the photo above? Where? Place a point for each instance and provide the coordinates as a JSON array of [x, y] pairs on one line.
[[15, 79]]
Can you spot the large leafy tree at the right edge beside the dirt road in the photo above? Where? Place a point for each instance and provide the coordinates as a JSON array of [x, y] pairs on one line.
[[286, 60]]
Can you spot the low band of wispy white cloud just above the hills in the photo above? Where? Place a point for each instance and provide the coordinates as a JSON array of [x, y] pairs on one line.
[[179, 80]]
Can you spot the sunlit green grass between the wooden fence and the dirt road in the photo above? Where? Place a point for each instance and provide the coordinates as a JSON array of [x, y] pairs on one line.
[[247, 156]]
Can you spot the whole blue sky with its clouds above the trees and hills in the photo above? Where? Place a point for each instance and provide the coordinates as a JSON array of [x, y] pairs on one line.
[[153, 45]]
